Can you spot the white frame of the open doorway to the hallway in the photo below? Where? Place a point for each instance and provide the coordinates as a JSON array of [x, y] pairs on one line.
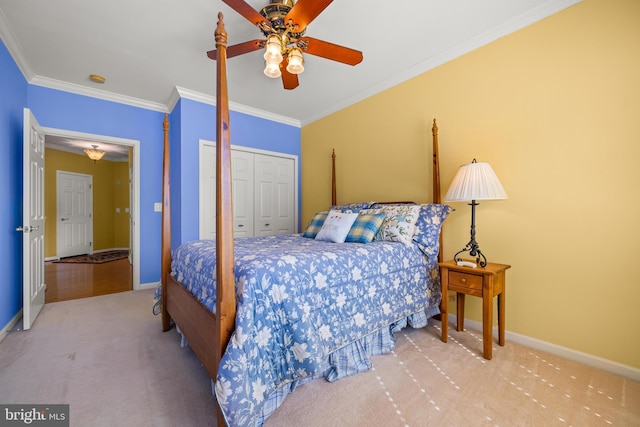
[[135, 186]]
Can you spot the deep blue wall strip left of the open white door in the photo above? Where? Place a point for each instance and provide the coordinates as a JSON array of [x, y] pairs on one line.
[[13, 98]]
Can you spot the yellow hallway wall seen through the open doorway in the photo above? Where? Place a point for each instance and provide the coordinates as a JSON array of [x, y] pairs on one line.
[[110, 230]]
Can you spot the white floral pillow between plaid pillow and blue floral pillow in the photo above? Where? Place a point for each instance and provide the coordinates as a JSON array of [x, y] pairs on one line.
[[399, 224]]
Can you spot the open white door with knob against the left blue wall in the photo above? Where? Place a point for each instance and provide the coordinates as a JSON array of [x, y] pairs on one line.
[[33, 220]]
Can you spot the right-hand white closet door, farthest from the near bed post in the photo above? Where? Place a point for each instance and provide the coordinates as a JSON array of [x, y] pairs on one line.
[[273, 195]]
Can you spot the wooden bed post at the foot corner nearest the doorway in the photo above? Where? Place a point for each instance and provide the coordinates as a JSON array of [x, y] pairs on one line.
[[166, 226]]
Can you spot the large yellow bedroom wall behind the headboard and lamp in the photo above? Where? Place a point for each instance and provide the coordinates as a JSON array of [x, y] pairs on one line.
[[555, 109]]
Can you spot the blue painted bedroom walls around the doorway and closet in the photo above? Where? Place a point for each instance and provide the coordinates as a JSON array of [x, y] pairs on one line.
[[190, 121]]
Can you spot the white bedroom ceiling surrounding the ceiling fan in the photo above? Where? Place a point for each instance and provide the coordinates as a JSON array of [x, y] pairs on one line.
[[152, 50]]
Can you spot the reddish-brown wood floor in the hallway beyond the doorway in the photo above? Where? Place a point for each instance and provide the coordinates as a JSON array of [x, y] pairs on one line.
[[73, 281]]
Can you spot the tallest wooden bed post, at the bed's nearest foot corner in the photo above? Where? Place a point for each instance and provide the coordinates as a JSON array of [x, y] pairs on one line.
[[225, 279]]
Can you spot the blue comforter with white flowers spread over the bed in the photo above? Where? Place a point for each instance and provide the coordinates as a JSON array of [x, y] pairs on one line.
[[300, 300]]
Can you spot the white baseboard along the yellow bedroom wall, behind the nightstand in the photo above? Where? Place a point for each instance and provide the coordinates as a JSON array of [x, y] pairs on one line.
[[567, 353]]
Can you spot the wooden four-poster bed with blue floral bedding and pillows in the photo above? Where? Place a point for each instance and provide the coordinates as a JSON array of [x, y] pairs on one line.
[[289, 309]]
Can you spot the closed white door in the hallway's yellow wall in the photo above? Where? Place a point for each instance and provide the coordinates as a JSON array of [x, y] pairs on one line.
[[74, 214]]
